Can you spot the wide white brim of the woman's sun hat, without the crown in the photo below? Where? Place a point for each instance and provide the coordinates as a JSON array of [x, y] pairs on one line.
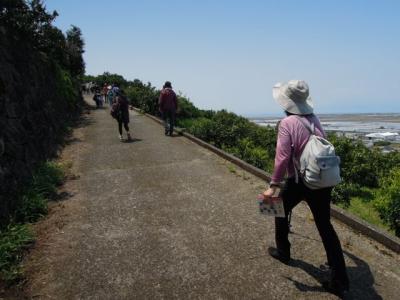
[[304, 108]]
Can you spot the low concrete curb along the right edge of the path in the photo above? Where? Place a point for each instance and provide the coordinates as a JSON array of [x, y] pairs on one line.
[[352, 221]]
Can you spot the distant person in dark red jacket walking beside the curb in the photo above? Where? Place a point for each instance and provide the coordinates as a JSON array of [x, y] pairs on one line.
[[168, 104]]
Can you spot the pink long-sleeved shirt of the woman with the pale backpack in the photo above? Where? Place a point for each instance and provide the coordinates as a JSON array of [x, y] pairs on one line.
[[292, 137]]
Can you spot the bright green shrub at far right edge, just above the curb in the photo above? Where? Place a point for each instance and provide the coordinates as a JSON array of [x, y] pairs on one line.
[[388, 200]]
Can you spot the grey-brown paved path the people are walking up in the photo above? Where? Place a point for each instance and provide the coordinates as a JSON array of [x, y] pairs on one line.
[[164, 218]]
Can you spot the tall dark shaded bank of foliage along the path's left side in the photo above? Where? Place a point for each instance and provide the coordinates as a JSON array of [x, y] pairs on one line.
[[42, 69]]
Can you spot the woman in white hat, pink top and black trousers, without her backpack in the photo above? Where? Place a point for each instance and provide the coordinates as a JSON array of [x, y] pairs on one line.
[[295, 100]]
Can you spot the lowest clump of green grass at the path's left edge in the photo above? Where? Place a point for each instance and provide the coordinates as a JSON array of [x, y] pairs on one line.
[[14, 239]]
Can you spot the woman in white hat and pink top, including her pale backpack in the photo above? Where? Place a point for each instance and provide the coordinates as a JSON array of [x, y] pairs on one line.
[[311, 167]]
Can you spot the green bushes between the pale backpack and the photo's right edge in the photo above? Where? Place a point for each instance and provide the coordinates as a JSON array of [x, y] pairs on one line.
[[363, 168]]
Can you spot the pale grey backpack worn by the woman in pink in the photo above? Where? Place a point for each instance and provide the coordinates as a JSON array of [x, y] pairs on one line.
[[318, 165]]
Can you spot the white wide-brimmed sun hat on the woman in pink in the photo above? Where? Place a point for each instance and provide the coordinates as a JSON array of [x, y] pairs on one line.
[[294, 97]]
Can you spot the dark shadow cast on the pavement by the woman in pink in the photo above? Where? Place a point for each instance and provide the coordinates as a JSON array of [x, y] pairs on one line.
[[360, 276]]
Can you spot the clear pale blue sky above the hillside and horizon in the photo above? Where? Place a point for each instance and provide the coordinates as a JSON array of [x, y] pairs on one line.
[[229, 54]]
